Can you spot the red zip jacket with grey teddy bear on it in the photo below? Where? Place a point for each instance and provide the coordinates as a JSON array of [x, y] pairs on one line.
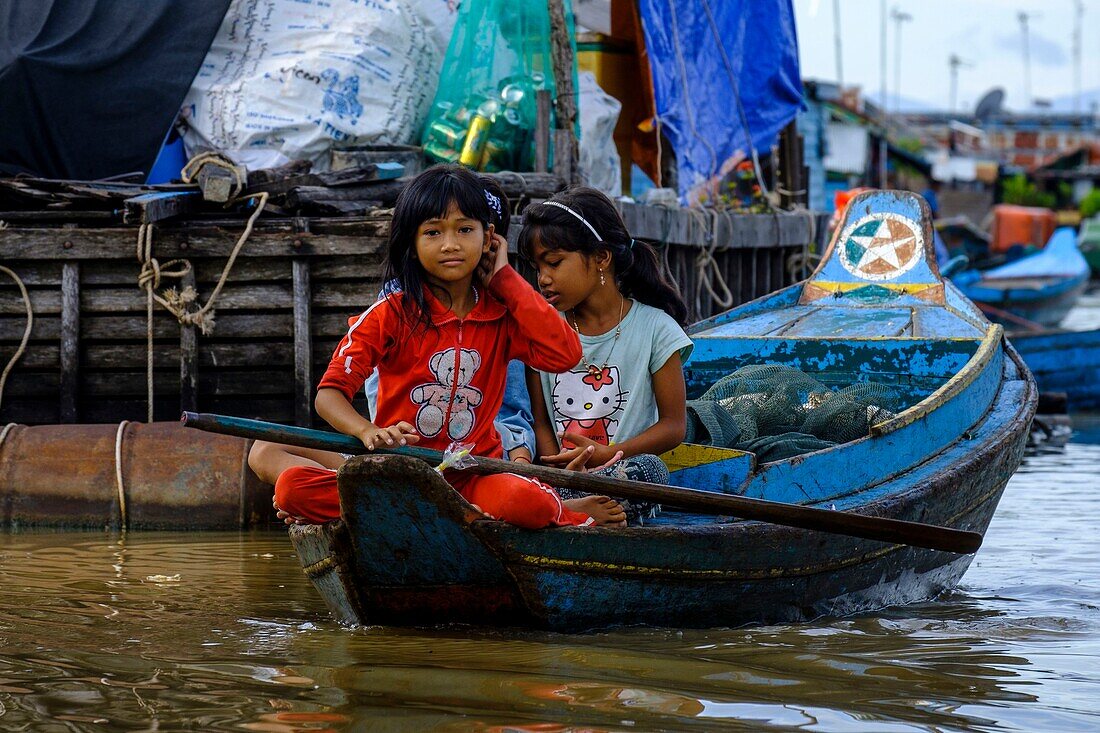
[[448, 381]]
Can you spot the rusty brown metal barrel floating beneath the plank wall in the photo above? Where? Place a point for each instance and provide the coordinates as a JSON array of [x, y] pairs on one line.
[[135, 476]]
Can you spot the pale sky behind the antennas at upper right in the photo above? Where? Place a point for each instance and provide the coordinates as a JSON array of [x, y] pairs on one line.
[[984, 34]]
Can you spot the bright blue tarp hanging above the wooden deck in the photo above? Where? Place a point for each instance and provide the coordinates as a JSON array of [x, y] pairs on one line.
[[705, 56]]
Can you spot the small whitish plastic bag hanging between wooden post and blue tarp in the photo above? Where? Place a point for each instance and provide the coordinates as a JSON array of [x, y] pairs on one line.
[[600, 161]]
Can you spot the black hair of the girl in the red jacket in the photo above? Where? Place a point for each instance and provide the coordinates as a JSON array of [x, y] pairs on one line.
[[428, 196]]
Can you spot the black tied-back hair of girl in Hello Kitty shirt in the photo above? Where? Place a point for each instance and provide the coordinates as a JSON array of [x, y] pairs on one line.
[[639, 268]]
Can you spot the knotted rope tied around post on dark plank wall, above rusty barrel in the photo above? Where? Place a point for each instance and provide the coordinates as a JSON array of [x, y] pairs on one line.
[[174, 302]]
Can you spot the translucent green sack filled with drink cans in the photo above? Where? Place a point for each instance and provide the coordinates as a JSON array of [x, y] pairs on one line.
[[485, 112]]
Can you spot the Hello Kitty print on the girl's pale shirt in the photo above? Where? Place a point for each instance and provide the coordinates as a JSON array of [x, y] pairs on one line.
[[586, 402]]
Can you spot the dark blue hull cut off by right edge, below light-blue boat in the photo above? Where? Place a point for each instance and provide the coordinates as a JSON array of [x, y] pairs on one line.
[[1064, 362]]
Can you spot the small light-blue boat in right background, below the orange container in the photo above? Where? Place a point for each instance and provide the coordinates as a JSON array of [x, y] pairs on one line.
[[1040, 288]]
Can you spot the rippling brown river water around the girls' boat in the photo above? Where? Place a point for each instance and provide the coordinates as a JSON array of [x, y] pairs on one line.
[[223, 632]]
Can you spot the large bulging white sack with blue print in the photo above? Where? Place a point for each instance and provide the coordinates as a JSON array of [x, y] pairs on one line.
[[289, 79]]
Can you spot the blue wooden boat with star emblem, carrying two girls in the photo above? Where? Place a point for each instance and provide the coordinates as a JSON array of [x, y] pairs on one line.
[[410, 551]]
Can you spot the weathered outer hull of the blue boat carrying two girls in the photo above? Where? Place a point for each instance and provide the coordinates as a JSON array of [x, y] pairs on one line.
[[414, 554]]
